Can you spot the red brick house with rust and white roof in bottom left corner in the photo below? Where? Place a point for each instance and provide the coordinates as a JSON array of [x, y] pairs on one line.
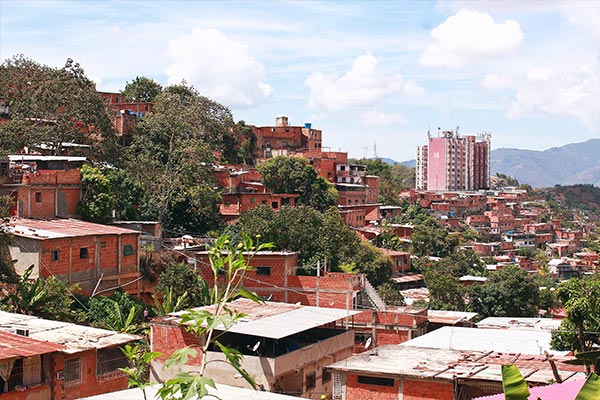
[[59, 360]]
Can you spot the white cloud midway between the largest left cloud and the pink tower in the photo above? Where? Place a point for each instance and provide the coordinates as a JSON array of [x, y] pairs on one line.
[[364, 84]]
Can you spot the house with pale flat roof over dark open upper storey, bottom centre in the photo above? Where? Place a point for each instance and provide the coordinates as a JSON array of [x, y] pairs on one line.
[[285, 346]]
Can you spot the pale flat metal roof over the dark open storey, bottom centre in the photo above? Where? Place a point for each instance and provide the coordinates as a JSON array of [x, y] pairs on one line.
[[276, 320]]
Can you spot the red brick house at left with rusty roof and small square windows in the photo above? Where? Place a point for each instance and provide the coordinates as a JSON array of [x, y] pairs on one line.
[[93, 256]]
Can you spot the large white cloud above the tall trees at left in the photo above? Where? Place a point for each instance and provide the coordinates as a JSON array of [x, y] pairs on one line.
[[219, 67]]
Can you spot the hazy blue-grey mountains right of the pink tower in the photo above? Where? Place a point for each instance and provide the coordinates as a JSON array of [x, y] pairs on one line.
[[575, 163]]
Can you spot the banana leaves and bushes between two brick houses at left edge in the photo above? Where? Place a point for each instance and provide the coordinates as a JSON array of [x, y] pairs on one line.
[[43, 297]]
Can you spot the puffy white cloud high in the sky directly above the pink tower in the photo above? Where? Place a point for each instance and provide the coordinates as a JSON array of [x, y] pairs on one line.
[[469, 36]]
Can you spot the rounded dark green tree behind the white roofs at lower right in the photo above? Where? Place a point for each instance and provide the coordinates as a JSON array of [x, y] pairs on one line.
[[510, 292]]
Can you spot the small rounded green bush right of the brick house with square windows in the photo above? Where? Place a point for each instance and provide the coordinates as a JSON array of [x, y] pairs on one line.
[[179, 278]]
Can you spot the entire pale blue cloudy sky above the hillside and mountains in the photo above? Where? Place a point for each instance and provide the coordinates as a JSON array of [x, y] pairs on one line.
[[374, 76]]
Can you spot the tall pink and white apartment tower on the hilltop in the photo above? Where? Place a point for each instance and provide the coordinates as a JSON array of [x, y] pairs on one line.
[[453, 162]]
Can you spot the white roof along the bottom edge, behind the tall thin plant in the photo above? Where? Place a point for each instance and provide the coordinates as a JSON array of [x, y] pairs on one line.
[[223, 392]]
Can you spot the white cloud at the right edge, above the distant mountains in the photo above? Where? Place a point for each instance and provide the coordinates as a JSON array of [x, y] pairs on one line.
[[572, 94]]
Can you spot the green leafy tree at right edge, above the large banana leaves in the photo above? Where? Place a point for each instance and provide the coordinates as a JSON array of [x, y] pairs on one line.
[[581, 300]]
